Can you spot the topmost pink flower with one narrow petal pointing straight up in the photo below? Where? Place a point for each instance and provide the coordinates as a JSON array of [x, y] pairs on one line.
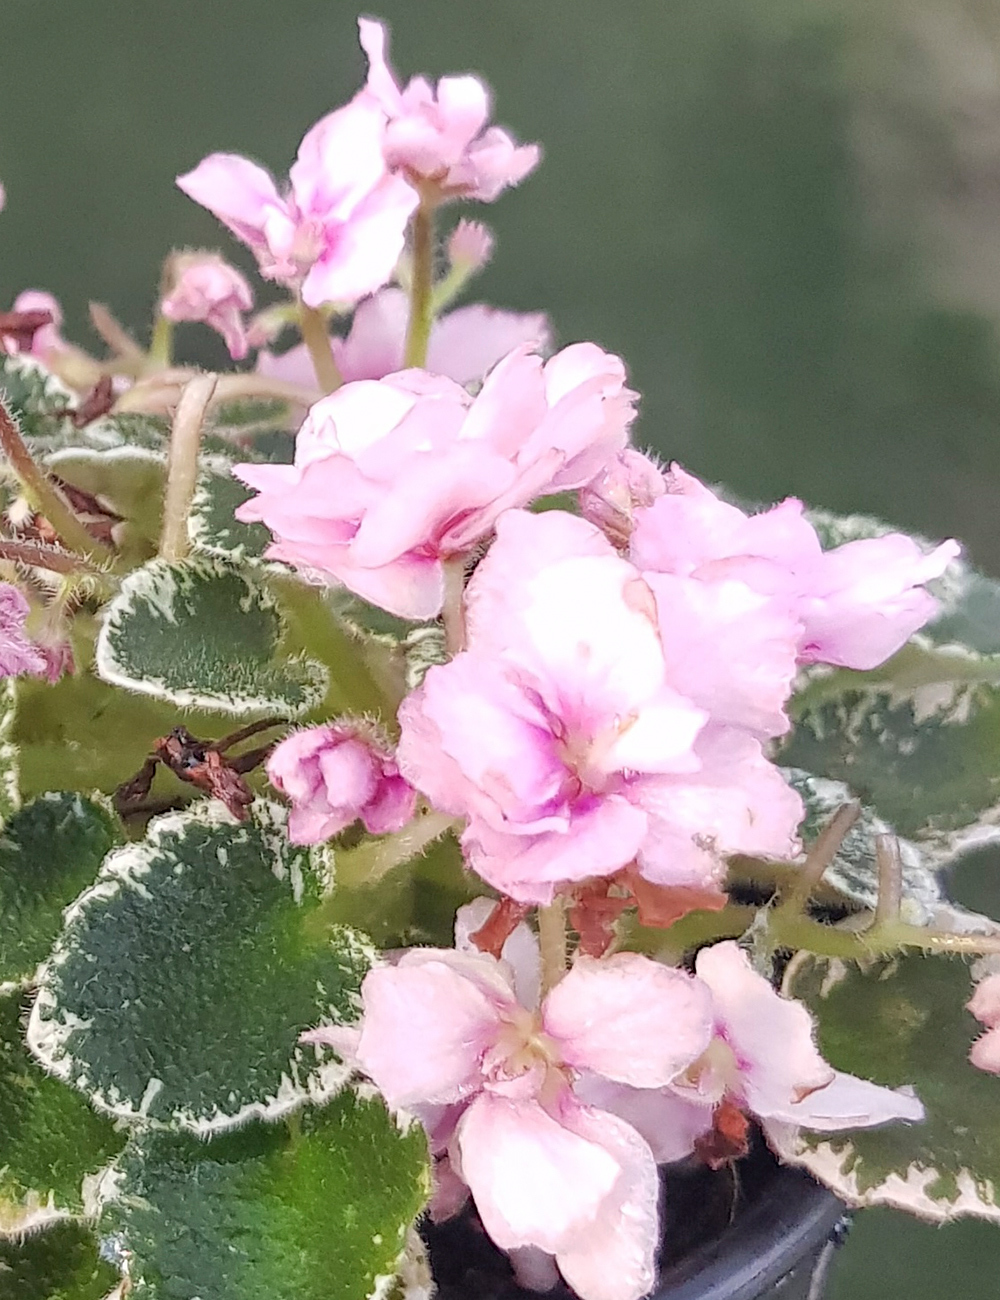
[[440, 135]]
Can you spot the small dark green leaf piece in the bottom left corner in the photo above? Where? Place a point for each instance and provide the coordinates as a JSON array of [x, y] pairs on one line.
[[63, 1264]]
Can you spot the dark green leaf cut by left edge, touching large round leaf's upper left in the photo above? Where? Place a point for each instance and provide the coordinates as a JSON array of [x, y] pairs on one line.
[[49, 853]]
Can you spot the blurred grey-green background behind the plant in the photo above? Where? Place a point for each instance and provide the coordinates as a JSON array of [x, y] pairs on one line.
[[785, 215]]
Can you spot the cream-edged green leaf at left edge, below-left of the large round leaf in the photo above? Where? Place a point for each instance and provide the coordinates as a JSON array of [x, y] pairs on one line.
[[54, 1149]]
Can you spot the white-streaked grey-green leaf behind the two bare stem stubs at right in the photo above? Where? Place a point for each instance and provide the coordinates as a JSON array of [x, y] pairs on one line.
[[854, 873]]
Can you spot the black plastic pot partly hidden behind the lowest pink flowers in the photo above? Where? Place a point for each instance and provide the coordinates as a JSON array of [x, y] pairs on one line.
[[757, 1232]]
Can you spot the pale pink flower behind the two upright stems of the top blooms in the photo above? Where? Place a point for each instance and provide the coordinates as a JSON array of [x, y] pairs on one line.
[[465, 344]]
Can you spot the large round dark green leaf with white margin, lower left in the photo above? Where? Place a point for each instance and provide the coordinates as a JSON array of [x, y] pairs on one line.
[[185, 977]]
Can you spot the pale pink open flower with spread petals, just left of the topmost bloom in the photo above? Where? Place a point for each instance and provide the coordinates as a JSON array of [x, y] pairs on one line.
[[337, 232]]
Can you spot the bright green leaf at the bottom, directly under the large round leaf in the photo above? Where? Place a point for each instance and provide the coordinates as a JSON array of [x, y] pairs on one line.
[[318, 1211]]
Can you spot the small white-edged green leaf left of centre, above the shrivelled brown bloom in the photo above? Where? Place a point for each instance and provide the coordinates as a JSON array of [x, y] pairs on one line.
[[204, 635]]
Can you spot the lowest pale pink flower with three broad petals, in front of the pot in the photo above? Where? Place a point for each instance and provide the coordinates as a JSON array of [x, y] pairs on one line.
[[445, 1029]]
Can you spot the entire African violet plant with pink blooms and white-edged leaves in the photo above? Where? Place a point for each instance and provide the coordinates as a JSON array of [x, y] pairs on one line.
[[414, 794]]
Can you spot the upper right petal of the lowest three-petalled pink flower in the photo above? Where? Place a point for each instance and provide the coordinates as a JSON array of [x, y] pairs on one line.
[[630, 1019]]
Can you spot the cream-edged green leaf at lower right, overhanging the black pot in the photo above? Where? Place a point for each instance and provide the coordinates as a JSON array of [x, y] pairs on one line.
[[903, 1022]]
